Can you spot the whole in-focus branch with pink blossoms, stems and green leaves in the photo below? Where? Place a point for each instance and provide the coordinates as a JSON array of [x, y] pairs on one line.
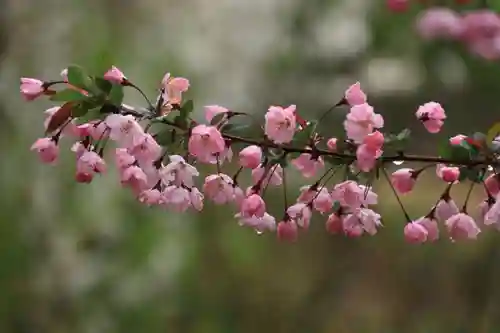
[[158, 151]]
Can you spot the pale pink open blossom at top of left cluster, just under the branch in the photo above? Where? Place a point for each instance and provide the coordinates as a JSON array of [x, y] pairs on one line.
[[124, 130]]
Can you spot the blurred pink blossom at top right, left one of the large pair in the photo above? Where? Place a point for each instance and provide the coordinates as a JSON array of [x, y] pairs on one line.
[[440, 22]]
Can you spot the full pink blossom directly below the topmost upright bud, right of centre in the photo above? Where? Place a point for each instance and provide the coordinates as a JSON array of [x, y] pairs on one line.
[[361, 121]]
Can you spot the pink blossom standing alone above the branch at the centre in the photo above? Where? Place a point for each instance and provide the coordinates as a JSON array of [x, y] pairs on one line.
[[280, 124]]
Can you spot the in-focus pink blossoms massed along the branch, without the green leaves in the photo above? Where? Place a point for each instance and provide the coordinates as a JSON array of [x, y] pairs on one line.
[[157, 177]]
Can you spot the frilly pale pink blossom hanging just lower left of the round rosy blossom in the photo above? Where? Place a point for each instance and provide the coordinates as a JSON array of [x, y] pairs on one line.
[[178, 172]]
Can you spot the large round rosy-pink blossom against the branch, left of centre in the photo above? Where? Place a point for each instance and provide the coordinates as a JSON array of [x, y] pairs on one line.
[[205, 141]]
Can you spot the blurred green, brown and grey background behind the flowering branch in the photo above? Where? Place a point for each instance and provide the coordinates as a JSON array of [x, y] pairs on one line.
[[88, 258]]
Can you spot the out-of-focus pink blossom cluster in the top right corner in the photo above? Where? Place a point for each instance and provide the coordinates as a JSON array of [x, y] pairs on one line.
[[474, 23]]
